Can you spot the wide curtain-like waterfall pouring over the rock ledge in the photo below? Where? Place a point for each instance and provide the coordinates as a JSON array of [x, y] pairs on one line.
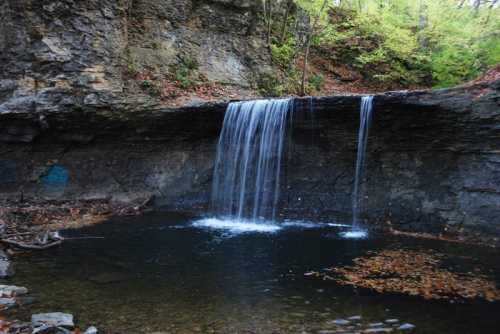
[[247, 169]]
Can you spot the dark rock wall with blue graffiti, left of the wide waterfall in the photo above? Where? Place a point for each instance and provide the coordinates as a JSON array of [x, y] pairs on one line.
[[86, 155]]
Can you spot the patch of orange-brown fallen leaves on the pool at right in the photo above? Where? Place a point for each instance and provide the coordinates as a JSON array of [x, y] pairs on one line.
[[413, 273]]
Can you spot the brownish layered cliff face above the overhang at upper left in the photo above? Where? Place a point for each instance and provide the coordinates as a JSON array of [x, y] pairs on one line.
[[66, 55]]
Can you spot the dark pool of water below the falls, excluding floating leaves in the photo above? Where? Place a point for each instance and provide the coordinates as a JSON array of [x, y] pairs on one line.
[[174, 273]]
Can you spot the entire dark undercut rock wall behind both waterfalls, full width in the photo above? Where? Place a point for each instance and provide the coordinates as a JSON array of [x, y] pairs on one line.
[[433, 156]]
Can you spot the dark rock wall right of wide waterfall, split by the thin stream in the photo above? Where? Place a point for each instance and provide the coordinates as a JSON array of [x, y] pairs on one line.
[[433, 160]]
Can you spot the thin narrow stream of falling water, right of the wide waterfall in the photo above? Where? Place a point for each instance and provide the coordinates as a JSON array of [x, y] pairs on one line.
[[364, 127]]
